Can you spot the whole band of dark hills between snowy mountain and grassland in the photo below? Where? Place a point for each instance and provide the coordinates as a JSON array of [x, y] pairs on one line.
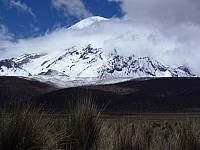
[[152, 95]]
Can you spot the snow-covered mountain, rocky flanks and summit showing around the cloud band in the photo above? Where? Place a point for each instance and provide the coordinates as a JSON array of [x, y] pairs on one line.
[[88, 61]]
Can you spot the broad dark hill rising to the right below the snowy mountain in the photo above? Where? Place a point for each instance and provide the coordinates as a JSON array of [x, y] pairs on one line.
[[153, 95]]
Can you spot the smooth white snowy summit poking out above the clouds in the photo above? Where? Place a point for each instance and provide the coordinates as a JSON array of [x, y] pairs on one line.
[[87, 22]]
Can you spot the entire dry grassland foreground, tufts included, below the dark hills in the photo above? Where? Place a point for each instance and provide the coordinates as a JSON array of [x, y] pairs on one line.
[[84, 126]]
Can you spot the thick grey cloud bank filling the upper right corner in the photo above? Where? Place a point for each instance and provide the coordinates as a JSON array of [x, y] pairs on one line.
[[171, 17]]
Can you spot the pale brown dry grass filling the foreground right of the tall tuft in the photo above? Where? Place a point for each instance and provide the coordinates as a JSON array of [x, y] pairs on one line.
[[125, 134]]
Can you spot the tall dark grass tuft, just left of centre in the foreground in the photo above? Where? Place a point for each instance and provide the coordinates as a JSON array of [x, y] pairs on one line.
[[84, 124]]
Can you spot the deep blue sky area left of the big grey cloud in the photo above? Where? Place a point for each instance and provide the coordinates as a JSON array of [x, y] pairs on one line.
[[29, 18]]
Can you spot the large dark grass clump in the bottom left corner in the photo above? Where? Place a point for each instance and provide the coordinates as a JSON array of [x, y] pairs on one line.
[[23, 127]]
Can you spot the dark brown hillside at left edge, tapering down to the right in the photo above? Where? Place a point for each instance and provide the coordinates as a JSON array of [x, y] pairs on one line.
[[15, 88]]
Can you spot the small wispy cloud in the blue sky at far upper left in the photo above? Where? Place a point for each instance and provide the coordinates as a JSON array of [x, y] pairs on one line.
[[21, 6]]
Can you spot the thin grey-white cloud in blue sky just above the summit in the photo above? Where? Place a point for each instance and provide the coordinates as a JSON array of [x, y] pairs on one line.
[[72, 7]]
